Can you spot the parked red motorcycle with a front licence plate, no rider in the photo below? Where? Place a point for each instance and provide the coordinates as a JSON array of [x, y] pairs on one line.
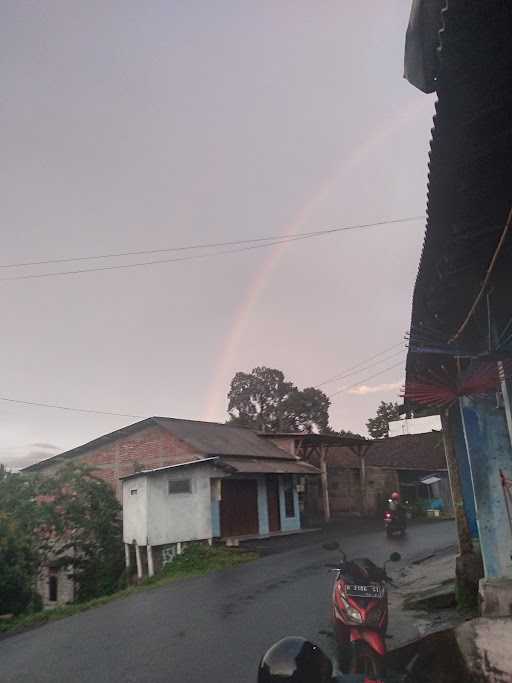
[[360, 615]]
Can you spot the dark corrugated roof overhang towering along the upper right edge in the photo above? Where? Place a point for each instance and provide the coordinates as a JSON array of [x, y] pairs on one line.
[[470, 176]]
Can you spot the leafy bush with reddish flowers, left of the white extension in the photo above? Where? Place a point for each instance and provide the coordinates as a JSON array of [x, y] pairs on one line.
[[81, 529]]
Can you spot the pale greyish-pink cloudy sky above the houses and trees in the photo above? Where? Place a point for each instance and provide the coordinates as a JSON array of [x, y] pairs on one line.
[[128, 126]]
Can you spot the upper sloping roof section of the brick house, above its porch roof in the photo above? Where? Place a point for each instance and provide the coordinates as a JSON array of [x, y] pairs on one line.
[[213, 438]]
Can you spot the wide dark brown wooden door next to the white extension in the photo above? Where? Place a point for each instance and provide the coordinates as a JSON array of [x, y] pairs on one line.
[[239, 507]]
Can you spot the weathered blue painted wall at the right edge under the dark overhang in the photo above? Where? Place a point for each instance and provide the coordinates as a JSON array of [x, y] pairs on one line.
[[489, 450]]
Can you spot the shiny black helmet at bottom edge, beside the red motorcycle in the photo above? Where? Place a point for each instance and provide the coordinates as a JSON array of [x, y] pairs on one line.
[[297, 660]]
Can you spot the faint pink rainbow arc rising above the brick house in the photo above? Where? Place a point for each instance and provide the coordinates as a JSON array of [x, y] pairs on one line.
[[226, 365]]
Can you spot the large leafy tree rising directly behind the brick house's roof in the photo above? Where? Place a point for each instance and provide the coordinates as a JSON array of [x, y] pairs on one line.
[[263, 399]]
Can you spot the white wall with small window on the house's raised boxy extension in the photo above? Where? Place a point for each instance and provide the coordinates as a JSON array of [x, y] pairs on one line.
[[180, 516]]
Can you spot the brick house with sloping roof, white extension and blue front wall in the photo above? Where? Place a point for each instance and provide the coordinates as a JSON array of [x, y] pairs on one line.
[[252, 485]]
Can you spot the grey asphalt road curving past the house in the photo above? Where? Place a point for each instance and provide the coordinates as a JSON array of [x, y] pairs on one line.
[[208, 629]]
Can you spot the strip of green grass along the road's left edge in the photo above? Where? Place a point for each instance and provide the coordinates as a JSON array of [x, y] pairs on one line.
[[196, 560]]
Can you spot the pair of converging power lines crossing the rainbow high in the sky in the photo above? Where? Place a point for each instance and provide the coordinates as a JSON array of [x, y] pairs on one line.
[[256, 243]]
